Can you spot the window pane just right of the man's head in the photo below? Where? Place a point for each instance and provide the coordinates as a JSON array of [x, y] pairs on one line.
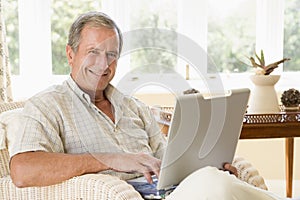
[[153, 14]]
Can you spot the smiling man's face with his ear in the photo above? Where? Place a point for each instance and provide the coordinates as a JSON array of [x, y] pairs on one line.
[[94, 64]]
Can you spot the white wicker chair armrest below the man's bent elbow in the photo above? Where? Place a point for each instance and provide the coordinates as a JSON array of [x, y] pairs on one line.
[[89, 186]]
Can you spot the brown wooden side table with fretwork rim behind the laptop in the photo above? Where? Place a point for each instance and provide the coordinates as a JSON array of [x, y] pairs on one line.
[[261, 126]]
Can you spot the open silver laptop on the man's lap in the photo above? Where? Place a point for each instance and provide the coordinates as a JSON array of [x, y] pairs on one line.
[[204, 131]]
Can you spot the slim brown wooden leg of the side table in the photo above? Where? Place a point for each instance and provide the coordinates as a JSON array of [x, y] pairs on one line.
[[289, 158]]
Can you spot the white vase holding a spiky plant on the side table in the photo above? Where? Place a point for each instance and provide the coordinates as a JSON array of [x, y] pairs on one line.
[[263, 98]]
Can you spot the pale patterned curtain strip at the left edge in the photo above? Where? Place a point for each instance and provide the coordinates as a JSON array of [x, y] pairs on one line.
[[5, 84]]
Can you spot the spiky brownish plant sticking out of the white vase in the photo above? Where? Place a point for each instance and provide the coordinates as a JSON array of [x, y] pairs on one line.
[[264, 69]]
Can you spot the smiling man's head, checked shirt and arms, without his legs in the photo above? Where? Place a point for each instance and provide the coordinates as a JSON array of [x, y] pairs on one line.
[[86, 125]]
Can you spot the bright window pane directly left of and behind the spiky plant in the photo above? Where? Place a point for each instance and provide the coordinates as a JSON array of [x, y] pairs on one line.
[[231, 33]]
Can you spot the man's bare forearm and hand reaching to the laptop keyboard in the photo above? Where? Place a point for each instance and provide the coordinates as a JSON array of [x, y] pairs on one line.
[[43, 168]]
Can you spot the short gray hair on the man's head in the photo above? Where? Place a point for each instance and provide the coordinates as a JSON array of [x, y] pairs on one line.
[[96, 19]]
